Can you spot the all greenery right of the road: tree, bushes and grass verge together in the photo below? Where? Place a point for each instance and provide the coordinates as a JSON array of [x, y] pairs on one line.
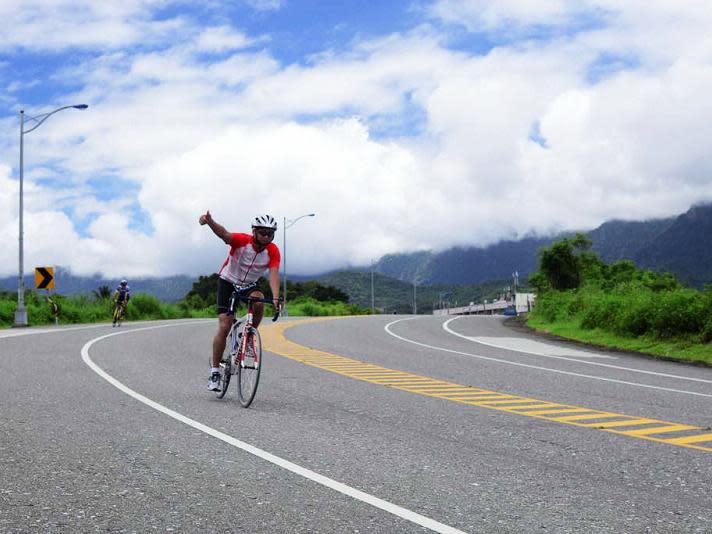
[[620, 306]]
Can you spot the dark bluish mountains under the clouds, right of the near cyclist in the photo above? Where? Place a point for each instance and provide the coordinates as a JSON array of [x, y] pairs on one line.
[[681, 245]]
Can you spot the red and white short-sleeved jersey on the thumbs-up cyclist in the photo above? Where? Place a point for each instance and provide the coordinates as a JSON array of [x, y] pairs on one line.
[[244, 264]]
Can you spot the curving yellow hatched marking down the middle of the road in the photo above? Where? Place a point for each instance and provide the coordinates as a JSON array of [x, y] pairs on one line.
[[695, 437]]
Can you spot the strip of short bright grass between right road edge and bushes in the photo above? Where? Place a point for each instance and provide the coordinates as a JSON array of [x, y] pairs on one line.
[[684, 348]]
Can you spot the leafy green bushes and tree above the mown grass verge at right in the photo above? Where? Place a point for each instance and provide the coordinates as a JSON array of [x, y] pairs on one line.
[[620, 298]]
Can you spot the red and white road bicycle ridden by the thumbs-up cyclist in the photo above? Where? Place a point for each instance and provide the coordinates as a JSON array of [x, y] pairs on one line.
[[243, 350]]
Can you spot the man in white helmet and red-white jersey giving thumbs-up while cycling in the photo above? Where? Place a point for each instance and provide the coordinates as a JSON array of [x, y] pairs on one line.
[[247, 260]]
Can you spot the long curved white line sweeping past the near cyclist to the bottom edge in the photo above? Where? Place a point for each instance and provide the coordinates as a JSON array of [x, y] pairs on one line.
[[276, 460]]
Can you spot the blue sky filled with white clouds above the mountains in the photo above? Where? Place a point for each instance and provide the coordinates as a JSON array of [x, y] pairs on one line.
[[384, 118]]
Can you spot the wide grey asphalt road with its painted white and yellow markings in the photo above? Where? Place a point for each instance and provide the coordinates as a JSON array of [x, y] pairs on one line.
[[369, 424]]
